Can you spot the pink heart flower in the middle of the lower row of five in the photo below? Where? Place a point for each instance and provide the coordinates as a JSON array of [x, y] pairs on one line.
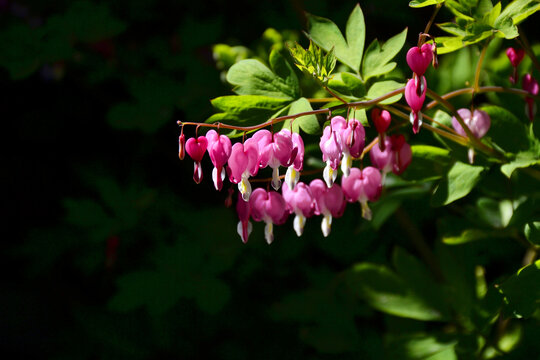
[[299, 201]]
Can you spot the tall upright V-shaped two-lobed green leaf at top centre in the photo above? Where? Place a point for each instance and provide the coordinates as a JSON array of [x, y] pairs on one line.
[[327, 35]]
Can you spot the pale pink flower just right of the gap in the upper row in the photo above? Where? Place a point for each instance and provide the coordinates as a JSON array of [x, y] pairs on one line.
[[331, 148]]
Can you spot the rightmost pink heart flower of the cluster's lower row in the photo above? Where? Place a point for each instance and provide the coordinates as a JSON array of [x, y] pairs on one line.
[[362, 186]]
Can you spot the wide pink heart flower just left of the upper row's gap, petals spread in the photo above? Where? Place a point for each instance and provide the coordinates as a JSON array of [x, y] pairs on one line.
[[278, 152]]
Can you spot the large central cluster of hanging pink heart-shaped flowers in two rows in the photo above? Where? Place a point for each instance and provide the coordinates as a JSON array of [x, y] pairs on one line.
[[342, 142]]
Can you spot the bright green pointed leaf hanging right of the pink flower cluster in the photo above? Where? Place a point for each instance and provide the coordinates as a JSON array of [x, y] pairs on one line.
[[459, 181]]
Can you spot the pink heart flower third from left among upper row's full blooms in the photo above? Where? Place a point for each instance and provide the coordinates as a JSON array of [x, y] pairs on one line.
[[243, 163]]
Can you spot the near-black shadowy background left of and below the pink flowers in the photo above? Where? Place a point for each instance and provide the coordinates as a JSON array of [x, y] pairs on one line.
[[113, 251]]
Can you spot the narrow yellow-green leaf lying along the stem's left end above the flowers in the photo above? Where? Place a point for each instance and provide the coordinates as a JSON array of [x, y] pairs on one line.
[[246, 109]]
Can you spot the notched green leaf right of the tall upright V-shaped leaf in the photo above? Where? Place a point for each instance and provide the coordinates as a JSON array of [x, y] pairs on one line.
[[377, 57]]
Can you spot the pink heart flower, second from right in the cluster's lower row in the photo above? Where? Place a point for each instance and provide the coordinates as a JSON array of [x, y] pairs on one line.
[[329, 202]]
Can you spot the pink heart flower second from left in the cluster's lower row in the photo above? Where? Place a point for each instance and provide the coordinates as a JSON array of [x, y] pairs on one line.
[[270, 208]]
